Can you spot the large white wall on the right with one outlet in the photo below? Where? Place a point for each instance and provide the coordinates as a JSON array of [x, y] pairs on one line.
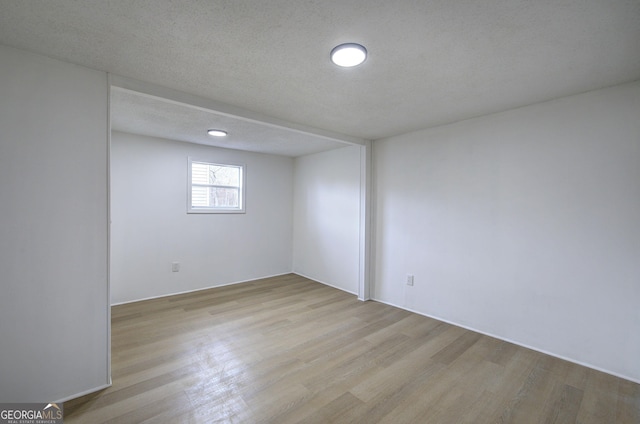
[[524, 225]]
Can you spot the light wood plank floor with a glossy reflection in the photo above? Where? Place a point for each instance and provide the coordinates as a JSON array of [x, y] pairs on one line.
[[290, 350]]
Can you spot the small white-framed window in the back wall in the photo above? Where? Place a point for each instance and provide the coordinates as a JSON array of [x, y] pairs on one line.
[[215, 188]]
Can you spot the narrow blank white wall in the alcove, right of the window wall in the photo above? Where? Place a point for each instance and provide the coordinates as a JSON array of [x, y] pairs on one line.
[[326, 225]]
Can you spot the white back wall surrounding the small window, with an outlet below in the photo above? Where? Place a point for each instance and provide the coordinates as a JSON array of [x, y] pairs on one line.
[[151, 229]]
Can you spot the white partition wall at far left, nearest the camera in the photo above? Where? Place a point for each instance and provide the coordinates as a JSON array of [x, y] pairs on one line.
[[53, 229]]
